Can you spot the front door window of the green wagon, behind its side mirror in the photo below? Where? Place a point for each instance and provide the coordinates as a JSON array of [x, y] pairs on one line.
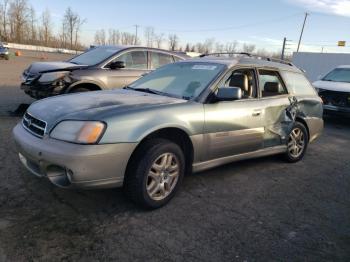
[[245, 80]]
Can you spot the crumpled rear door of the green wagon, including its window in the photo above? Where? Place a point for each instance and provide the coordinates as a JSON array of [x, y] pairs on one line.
[[276, 107]]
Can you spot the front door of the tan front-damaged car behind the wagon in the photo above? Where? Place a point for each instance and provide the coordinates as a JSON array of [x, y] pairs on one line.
[[136, 64]]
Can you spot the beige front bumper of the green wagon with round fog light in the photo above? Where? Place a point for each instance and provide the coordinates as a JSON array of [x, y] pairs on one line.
[[71, 165]]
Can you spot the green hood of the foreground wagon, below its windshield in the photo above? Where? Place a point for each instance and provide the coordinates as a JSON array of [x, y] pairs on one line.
[[95, 105]]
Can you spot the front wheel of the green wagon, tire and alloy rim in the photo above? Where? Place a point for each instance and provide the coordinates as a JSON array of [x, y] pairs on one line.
[[145, 173]]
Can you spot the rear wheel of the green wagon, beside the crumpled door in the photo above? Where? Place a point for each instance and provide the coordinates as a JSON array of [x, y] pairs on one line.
[[297, 143]]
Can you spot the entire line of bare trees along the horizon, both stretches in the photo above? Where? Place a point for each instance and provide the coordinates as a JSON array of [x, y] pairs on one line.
[[20, 23]]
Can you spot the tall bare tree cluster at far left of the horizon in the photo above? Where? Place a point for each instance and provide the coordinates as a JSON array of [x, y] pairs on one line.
[[20, 23]]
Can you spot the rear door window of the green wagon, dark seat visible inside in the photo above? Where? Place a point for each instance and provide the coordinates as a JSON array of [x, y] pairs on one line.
[[270, 83]]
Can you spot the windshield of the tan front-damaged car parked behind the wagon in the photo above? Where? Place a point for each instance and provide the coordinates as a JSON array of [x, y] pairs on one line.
[[94, 56]]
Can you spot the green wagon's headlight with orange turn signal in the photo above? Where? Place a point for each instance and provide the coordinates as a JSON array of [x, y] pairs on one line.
[[82, 132]]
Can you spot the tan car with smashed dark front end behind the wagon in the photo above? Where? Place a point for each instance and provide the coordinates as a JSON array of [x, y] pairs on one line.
[[102, 67]]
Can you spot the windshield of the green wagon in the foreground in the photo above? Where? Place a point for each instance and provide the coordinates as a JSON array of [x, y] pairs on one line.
[[185, 80]]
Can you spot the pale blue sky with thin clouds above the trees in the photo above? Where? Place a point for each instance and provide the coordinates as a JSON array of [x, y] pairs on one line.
[[261, 22]]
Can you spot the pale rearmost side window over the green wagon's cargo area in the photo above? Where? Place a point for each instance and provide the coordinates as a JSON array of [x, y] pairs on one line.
[[297, 83]]
